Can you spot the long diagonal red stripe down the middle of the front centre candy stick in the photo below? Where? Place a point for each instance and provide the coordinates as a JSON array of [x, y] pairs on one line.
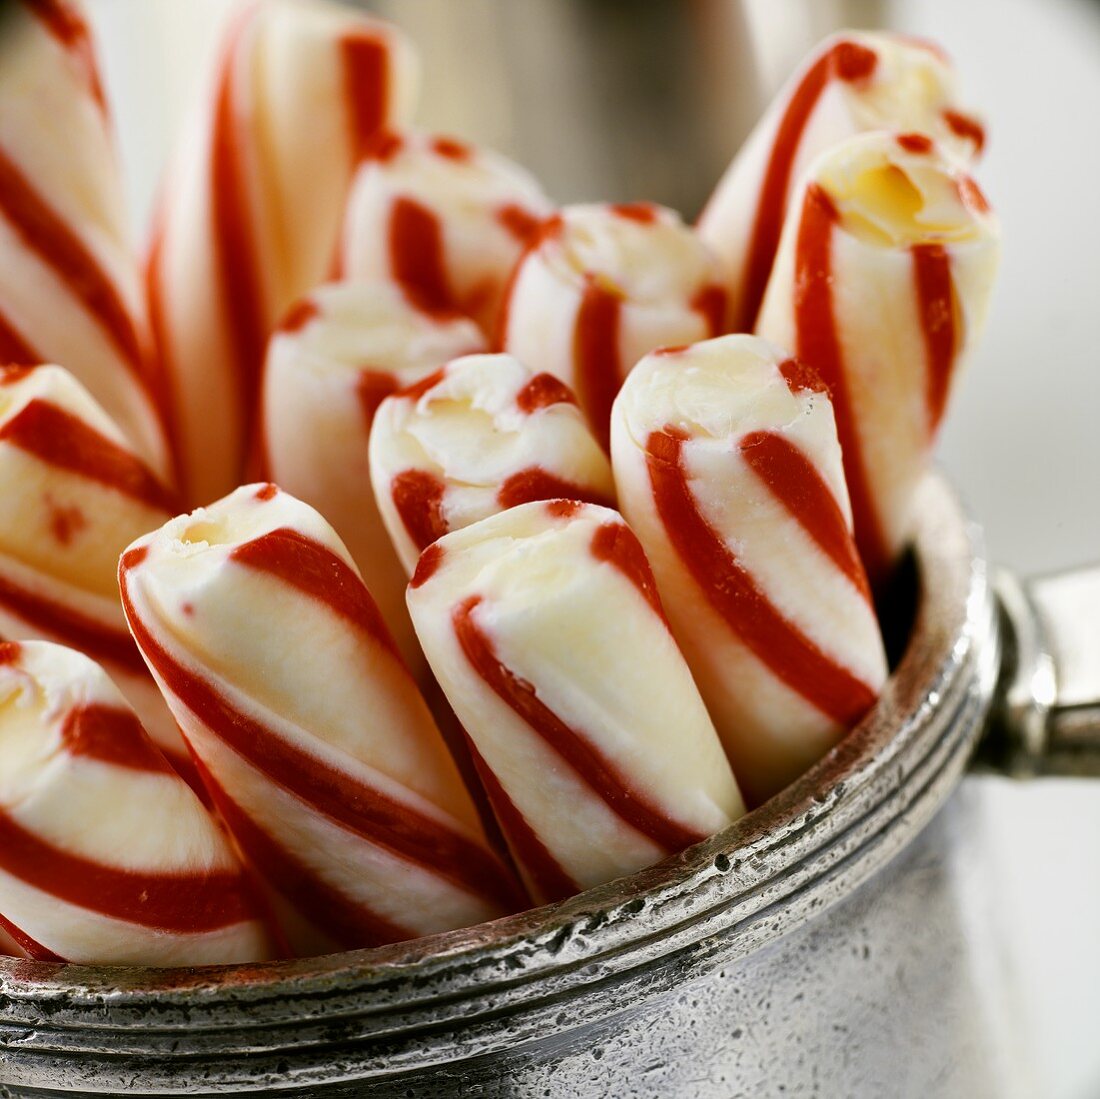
[[591, 766]]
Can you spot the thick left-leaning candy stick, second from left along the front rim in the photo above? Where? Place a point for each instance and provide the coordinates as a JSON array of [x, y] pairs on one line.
[[316, 748]]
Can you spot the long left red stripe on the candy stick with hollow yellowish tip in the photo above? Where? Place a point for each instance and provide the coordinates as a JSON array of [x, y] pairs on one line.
[[819, 345]]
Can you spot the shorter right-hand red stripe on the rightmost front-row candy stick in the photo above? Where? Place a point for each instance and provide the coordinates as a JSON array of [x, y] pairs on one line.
[[795, 481]]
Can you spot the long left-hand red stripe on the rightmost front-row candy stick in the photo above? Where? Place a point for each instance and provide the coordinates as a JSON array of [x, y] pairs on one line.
[[793, 657]]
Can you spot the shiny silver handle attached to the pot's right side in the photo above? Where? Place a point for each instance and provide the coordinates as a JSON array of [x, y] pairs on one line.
[[1047, 717]]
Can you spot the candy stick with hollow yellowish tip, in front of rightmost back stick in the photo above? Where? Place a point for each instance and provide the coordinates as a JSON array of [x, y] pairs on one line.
[[882, 285]]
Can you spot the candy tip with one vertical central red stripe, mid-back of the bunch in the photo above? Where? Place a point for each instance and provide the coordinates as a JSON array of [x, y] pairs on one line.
[[603, 287]]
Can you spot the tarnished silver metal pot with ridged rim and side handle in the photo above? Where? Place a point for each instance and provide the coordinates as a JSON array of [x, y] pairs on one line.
[[784, 954]]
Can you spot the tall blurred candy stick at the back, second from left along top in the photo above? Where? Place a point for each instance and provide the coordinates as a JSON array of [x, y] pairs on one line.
[[251, 210]]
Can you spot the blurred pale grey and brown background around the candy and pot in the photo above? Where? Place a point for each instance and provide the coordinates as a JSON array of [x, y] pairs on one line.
[[631, 100]]
